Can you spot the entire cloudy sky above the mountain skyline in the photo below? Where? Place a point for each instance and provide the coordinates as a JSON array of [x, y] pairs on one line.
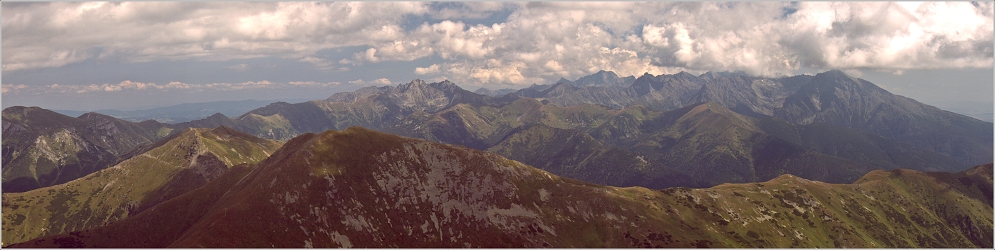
[[134, 55]]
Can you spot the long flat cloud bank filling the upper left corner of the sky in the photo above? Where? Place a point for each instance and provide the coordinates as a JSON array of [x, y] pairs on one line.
[[60, 33]]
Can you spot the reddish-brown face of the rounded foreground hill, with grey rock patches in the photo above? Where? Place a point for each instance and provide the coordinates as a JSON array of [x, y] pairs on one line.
[[399, 193]]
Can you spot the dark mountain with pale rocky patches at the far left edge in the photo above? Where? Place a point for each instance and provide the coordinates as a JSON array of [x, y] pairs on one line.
[[43, 148]]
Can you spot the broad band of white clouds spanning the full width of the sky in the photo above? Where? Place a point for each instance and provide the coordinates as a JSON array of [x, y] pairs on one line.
[[536, 42]]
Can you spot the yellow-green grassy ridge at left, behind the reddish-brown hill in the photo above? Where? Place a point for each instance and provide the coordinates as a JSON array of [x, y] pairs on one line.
[[181, 163]]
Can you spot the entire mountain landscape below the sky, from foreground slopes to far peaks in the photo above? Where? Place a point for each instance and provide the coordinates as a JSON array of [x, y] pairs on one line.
[[713, 160]]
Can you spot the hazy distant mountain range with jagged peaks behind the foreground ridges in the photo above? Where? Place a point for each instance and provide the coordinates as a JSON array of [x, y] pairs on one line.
[[629, 131]]
